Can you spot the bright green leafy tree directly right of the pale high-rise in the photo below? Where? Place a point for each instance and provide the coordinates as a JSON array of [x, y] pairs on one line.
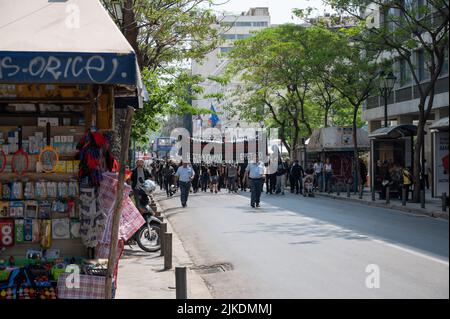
[[276, 67]]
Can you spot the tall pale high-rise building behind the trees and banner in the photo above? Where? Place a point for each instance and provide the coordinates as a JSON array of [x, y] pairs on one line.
[[235, 27]]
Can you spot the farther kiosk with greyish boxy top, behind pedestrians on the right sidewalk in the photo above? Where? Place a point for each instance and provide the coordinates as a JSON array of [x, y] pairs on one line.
[[336, 144]]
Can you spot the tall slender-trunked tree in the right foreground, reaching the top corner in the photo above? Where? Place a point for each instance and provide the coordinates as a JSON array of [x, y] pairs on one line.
[[407, 27]]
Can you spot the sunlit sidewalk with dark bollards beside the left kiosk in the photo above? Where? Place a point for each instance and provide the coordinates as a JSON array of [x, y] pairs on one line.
[[141, 275]]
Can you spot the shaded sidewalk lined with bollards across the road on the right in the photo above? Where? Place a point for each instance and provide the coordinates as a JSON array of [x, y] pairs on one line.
[[433, 206]]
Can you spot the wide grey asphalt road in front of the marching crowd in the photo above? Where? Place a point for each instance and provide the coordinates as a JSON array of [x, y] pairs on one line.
[[296, 247]]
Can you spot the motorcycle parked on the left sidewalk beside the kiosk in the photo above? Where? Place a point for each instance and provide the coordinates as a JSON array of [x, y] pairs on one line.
[[148, 236]]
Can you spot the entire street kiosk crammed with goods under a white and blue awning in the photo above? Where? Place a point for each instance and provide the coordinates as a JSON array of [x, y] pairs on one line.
[[58, 84]]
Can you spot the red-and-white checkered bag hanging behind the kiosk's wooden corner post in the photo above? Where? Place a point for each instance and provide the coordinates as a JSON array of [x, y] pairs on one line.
[[131, 219]]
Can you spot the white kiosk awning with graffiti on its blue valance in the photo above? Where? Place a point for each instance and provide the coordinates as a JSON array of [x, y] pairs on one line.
[[63, 41]]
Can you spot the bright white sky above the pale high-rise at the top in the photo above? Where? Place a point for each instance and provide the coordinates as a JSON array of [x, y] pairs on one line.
[[280, 10]]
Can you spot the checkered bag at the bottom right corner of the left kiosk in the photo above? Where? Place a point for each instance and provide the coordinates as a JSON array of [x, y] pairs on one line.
[[91, 287]]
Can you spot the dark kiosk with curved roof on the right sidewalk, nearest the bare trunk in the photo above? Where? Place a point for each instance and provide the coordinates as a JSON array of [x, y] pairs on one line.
[[391, 150]]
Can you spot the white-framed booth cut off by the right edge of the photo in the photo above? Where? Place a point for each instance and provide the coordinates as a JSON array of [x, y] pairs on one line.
[[439, 131]]
